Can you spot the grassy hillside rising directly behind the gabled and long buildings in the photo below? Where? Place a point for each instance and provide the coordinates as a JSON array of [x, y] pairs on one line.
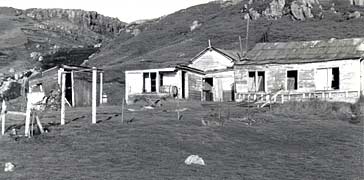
[[169, 40]]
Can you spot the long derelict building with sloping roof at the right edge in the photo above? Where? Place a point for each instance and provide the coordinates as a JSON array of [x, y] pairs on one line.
[[327, 69]]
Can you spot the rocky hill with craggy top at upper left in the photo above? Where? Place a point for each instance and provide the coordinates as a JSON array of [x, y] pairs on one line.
[[39, 37]]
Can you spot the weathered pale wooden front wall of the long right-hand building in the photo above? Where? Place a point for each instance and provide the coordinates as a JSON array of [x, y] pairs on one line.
[[276, 75]]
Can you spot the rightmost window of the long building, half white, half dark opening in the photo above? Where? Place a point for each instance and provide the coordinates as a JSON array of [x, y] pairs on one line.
[[327, 78]]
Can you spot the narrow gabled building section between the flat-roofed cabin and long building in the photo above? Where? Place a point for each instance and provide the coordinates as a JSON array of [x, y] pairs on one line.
[[217, 65]]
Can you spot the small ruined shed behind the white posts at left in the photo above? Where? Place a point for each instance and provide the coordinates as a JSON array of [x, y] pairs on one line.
[[78, 84]]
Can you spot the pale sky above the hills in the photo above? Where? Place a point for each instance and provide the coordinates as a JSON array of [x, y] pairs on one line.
[[125, 10]]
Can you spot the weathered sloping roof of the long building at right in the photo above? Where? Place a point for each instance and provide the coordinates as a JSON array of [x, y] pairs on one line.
[[305, 51]]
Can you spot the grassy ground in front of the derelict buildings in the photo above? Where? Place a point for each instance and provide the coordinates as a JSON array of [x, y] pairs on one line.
[[155, 145]]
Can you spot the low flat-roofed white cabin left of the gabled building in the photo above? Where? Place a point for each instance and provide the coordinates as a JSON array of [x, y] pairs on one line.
[[178, 81]]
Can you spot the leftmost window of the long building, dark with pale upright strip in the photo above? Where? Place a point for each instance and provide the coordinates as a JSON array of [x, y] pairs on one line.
[[256, 81]]
